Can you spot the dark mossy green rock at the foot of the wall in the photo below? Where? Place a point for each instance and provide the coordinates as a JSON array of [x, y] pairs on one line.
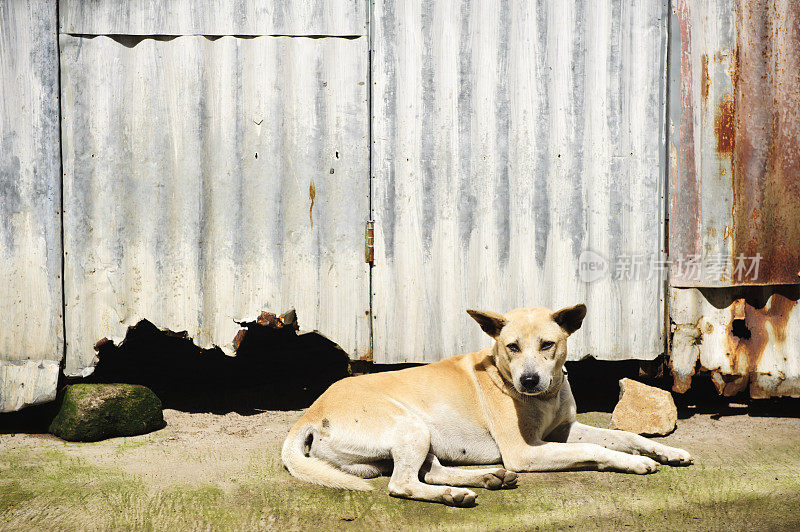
[[93, 412]]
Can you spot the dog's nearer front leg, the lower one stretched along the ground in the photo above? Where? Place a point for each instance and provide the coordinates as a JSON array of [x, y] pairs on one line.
[[551, 456]]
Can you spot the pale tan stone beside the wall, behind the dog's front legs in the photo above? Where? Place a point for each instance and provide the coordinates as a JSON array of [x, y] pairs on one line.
[[644, 409]]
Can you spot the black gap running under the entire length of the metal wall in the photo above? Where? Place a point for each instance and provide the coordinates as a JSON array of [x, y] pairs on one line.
[[276, 369]]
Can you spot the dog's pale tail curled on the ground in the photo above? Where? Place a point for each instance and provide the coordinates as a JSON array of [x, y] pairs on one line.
[[301, 464]]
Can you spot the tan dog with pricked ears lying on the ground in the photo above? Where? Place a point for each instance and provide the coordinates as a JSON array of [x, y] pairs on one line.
[[510, 403]]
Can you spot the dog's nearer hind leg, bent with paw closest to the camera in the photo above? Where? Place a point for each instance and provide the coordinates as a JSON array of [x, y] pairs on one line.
[[410, 446]]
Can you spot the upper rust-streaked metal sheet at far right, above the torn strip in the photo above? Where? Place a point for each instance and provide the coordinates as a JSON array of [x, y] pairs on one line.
[[734, 148]]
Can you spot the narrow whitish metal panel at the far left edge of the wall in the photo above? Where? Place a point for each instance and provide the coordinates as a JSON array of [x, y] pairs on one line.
[[31, 337]]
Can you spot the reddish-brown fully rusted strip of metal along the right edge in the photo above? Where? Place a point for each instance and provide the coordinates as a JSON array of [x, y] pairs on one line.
[[766, 150]]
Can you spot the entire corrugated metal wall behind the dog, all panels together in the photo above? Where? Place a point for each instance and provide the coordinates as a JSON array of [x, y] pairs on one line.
[[215, 168]]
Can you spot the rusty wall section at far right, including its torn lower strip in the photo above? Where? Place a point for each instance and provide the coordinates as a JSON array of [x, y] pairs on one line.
[[735, 195]]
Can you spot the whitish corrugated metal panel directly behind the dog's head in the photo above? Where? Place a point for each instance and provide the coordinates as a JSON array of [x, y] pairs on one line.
[[507, 138]]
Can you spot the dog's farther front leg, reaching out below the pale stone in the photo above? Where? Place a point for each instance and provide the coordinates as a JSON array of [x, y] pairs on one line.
[[626, 442]]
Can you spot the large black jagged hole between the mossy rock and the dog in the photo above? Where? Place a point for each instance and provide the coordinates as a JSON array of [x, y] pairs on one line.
[[274, 369]]
